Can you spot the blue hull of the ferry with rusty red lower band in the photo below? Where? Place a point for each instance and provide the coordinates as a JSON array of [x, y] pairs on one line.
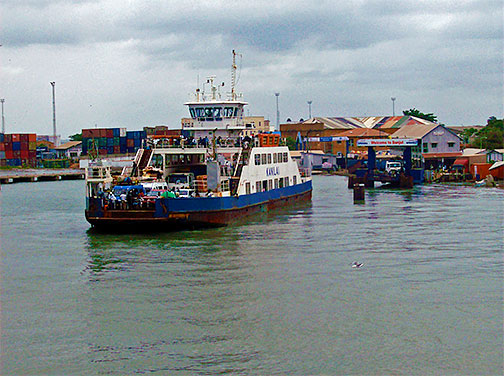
[[179, 213]]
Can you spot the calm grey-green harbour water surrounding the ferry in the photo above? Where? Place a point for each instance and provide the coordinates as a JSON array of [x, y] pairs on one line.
[[272, 296]]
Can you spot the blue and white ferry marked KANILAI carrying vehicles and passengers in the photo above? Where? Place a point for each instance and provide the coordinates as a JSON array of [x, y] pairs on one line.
[[208, 176]]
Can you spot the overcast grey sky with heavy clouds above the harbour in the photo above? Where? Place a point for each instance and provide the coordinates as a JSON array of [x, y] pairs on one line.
[[131, 63]]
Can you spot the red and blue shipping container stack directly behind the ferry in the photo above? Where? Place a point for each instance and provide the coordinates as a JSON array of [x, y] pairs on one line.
[[112, 141]]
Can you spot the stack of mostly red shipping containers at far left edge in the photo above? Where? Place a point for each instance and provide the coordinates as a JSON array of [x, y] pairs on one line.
[[18, 149]]
